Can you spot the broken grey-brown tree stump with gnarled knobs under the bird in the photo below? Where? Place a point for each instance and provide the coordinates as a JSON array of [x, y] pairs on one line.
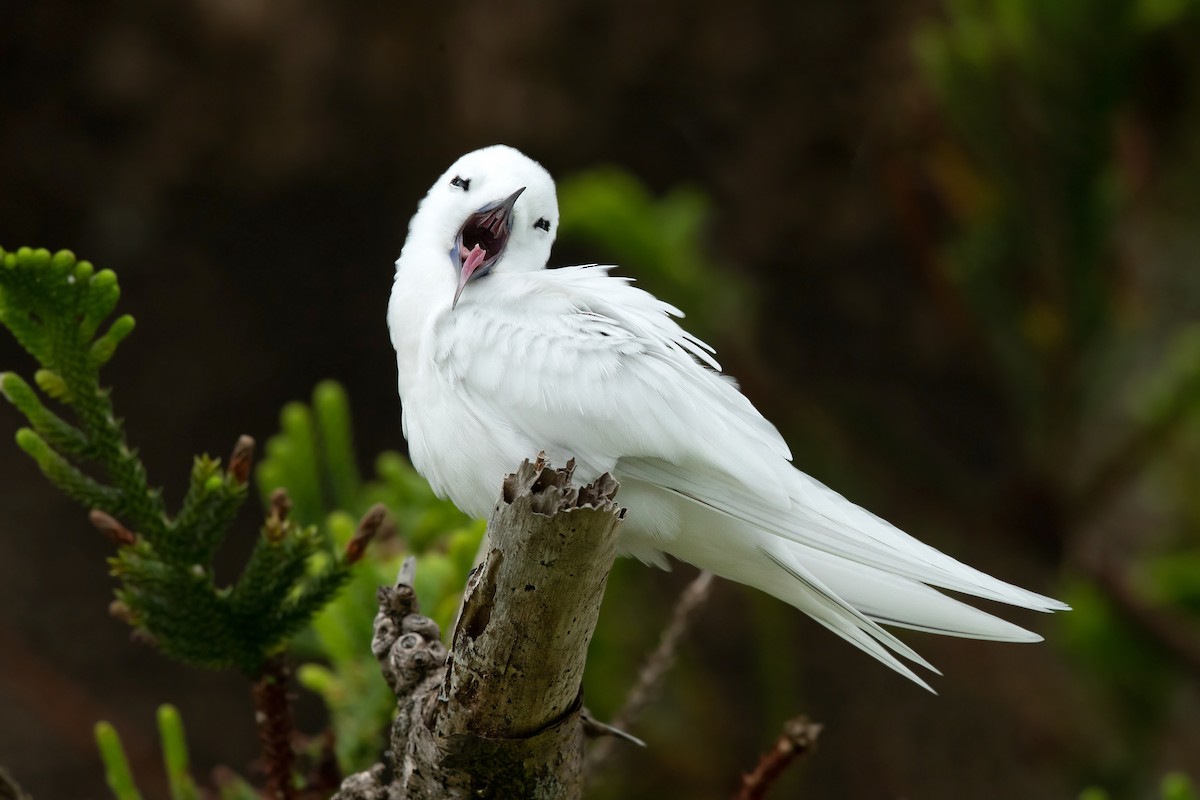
[[501, 715]]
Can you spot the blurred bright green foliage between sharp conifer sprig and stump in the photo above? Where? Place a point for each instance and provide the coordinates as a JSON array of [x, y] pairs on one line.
[[314, 459]]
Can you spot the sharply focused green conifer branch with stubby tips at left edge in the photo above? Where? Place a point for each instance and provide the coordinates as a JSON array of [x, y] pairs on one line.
[[55, 306]]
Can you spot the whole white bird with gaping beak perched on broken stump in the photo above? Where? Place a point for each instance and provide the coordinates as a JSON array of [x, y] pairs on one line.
[[501, 358]]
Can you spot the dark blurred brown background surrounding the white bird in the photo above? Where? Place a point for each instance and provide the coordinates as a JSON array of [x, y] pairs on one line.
[[964, 242]]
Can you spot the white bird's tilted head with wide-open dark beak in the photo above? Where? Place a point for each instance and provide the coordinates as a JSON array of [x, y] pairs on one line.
[[495, 209]]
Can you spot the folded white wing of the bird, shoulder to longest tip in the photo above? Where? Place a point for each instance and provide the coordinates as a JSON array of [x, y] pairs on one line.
[[592, 368]]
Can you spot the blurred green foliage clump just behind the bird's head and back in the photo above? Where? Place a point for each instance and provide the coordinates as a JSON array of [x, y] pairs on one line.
[[664, 242]]
